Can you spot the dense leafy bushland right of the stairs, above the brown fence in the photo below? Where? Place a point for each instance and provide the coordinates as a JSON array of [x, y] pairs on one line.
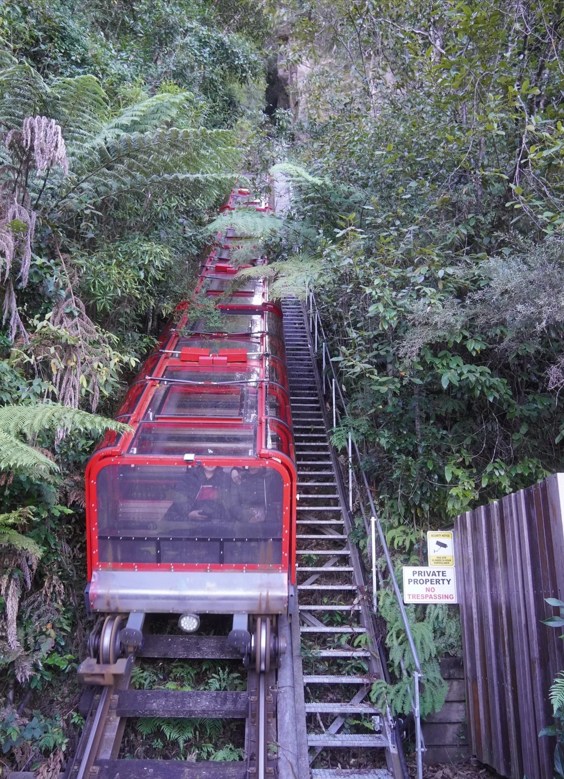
[[427, 182]]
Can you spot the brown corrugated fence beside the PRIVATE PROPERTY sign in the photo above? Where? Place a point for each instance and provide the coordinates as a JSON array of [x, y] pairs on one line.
[[509, 558]]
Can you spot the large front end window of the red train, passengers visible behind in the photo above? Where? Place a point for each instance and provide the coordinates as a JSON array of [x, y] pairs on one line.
[[163, 515]]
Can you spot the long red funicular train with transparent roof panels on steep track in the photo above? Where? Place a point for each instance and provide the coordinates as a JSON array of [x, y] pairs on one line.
[[193, 511]]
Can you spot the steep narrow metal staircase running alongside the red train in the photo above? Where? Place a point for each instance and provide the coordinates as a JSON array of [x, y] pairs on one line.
[[346, 735]]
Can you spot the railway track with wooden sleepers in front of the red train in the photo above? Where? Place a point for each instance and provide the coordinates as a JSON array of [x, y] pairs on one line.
[[114, 702]]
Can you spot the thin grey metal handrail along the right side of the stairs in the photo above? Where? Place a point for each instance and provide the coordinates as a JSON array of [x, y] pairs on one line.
[[371, 519]]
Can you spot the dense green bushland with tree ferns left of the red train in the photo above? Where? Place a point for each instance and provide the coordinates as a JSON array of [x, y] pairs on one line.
[[121, 130]]
